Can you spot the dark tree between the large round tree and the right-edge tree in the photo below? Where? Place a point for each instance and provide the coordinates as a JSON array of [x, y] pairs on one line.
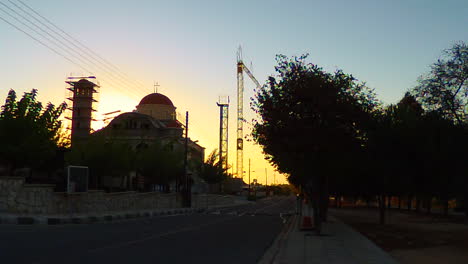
[[394, 150]]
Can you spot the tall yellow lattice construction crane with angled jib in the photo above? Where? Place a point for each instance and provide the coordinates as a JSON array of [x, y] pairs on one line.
[[241, 68]]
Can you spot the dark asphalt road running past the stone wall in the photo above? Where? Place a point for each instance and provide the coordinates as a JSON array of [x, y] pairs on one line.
[[238, 234]]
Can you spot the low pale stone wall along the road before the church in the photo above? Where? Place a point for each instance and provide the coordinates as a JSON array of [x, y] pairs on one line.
[[19, 198]]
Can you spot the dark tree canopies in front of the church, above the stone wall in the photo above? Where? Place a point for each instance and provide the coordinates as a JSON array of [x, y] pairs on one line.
[[158, 163]]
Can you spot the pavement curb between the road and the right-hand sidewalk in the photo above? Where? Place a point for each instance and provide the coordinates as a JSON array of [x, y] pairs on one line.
[[273, 252]]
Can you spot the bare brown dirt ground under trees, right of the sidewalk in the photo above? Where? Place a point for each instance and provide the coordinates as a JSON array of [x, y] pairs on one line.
[[412, 237]]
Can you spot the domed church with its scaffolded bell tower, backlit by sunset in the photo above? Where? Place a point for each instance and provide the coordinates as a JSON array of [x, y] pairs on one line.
[[153, 120]]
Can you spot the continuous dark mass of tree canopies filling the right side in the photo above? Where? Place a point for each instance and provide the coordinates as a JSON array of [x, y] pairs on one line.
[[330, 134]]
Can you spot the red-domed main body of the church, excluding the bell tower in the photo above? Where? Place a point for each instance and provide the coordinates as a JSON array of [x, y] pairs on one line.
[[153, 120]]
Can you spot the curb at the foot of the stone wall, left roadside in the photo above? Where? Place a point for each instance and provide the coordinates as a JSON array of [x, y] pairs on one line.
[[91, 219]]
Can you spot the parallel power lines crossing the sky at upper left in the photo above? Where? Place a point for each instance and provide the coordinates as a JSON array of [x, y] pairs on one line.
[[78, 55]]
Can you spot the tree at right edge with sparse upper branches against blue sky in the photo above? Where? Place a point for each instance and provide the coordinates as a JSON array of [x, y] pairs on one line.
[[443, 93]]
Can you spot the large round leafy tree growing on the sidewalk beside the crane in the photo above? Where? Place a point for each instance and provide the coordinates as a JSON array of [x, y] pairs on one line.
[[310, 120]]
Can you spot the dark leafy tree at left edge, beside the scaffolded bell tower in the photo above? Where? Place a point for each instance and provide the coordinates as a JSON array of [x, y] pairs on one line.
[[29, 133]]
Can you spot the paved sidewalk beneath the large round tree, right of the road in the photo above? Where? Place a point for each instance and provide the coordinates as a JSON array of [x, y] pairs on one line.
[[339, 244]]
